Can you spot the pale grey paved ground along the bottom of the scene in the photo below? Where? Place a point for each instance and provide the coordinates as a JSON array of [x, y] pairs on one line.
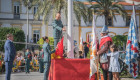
[[35, 76]]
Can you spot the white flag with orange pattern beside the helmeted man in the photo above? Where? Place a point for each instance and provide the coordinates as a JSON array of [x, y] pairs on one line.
[[93, 57]]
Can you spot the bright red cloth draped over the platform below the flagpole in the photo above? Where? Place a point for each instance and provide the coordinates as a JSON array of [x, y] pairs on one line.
[[70, 69]]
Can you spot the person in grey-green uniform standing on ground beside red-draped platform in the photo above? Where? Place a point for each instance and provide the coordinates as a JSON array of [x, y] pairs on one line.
[[47, 57]]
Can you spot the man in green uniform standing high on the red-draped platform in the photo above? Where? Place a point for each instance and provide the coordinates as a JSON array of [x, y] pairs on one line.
[[57, 29]]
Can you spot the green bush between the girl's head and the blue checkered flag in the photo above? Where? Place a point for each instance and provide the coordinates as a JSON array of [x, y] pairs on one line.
[[119, 40]]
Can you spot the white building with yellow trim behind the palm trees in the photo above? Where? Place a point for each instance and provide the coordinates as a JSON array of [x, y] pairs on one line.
[[13, 14]]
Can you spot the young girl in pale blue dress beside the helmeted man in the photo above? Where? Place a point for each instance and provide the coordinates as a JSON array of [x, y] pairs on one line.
[[114, 65]]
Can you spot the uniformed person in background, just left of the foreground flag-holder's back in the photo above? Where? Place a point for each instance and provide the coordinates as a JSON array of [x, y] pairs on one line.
[[41, 63]]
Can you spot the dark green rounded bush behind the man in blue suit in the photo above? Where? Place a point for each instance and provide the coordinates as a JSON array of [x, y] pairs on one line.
[[19, 36]]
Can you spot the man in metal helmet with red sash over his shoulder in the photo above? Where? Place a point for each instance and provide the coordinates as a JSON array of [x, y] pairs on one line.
[[104, 45]]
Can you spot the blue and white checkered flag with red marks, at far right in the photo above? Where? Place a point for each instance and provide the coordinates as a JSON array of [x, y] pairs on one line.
[[132, 48]]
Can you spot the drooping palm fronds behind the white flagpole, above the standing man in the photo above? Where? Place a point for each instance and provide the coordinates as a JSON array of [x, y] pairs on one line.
[[51, 7]]
